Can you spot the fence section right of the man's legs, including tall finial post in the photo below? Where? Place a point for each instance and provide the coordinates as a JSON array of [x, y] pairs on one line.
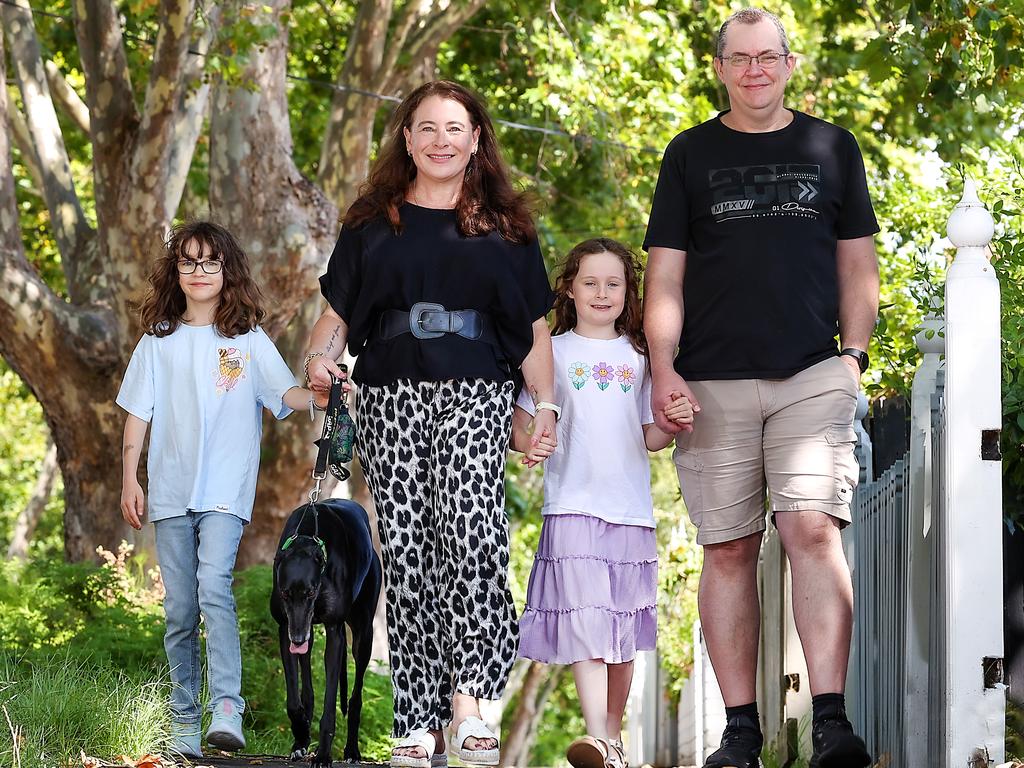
[[927, 677]]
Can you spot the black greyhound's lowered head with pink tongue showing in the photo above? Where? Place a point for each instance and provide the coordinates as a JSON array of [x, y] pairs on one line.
[[300, 570]]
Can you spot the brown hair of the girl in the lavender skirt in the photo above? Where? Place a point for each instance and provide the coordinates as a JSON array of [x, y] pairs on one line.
[[630, 323]]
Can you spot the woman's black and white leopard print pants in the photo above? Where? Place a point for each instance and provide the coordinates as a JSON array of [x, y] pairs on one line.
[[434, 456]]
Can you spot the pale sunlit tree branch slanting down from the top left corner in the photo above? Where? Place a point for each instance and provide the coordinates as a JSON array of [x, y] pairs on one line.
[[67, 220]]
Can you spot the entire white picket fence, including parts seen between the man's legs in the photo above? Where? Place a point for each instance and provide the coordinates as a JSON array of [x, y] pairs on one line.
[[926, 672]]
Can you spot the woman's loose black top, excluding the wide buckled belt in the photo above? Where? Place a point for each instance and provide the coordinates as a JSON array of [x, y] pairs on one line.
[[373, 270]]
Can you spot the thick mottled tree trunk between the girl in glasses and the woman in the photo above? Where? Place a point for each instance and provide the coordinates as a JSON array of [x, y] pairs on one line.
[[288, 227]]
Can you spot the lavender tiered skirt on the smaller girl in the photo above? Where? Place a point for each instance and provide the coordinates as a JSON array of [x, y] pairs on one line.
[[592, 592]]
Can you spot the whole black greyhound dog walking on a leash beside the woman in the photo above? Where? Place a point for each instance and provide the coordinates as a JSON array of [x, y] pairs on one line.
[[326, 572]]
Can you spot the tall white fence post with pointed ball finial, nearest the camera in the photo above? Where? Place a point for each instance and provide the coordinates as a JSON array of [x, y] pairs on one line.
[[975, 697]]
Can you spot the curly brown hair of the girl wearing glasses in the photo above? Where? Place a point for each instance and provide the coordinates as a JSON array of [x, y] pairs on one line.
[[241, 307]]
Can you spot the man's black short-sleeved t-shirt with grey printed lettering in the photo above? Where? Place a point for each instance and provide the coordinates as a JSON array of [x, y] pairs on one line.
[[759, 216]]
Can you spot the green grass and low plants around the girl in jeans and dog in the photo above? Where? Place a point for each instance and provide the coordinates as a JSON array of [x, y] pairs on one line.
[[82, 668]]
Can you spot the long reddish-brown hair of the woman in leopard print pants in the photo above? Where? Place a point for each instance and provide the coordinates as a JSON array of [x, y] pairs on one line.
[[488, 201]]
